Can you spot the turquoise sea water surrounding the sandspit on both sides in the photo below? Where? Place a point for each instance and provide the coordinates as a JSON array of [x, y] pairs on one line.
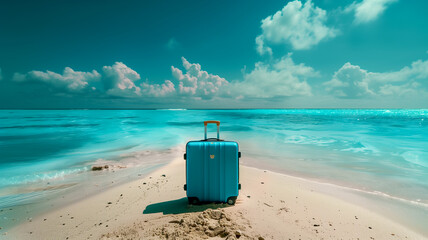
[[379, 152]]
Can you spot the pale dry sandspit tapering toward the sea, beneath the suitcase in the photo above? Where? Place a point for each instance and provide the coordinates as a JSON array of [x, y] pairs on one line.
[[270, 206]]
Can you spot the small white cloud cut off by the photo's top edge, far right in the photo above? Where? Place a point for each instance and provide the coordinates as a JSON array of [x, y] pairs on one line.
[[368, 10]]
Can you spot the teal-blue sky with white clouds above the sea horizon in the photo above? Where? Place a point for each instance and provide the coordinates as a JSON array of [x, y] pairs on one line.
[[214, 54]]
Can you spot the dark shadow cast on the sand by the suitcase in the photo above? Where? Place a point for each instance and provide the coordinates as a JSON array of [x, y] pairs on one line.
[[180, 206]]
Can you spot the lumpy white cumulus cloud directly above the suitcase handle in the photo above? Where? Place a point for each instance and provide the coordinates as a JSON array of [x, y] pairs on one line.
[[197, 83]]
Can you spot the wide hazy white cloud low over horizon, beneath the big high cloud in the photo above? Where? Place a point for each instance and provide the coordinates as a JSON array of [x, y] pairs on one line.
[[283, 78]]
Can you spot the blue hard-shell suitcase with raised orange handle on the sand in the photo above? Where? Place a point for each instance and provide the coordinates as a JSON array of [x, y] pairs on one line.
[[212, 169]]
